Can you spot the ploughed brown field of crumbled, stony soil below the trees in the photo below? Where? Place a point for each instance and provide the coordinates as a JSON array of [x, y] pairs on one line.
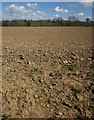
[[47, 72]]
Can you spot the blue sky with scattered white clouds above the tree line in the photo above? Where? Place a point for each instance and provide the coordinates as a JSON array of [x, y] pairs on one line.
[[45, 10]]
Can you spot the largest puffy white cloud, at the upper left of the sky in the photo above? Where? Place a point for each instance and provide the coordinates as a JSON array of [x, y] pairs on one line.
[[14, 8]]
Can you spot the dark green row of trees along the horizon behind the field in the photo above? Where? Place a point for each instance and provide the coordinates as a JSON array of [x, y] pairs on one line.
[[72, 21]]
